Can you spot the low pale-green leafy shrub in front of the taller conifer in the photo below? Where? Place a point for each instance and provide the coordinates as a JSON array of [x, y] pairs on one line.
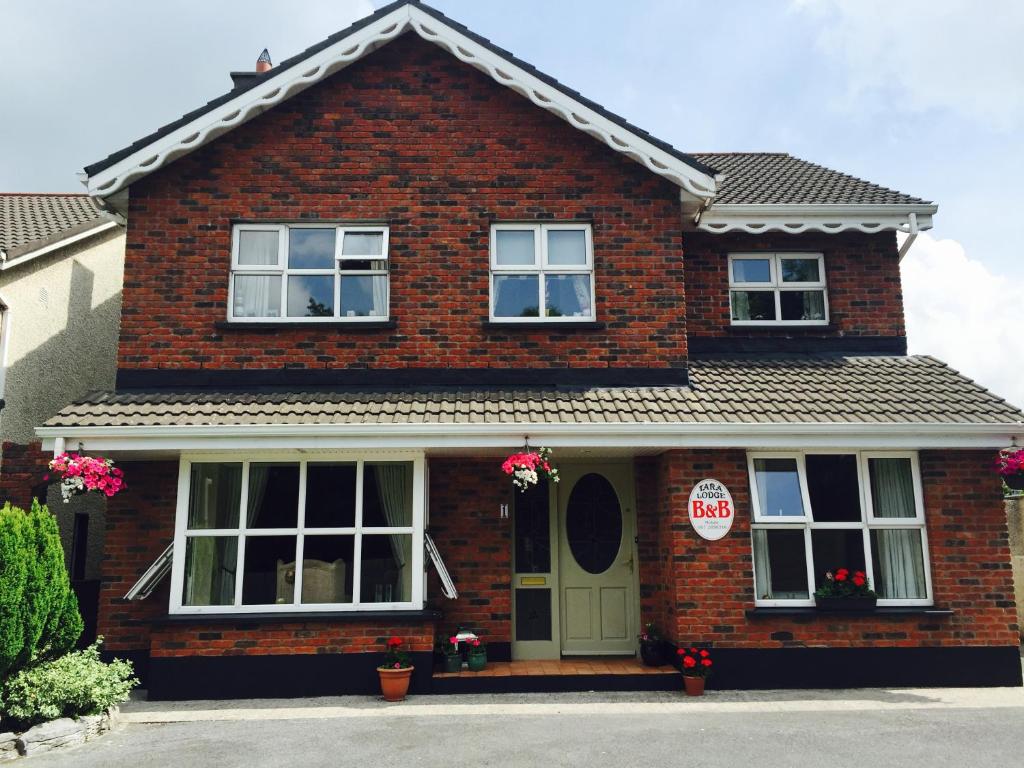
[[76, 685]]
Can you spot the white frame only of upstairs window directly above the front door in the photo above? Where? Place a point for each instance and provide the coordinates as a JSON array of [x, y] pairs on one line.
[[542, 269]]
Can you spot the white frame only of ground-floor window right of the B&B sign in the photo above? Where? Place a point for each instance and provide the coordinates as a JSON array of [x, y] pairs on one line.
[[867, 524]]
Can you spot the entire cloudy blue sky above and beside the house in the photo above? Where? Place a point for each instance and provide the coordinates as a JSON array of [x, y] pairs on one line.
[[925, 97]]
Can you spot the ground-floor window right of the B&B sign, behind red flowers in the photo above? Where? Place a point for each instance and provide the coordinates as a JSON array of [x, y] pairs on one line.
[[818, 513]]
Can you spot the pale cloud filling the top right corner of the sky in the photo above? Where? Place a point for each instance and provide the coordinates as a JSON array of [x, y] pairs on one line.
[[917, 56]]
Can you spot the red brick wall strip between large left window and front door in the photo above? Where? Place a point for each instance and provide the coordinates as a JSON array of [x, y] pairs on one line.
[[477, 544]]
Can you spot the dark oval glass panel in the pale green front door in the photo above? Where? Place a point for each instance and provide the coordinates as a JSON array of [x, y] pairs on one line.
[[594, 524]]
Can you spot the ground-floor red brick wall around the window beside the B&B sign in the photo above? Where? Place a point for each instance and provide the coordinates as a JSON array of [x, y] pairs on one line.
[[968, 542]]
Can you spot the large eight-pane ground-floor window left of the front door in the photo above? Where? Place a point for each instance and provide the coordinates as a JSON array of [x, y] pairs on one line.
[[291, 534]]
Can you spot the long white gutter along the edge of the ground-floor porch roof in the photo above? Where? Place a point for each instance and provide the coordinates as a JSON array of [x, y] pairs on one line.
[[656, 436]]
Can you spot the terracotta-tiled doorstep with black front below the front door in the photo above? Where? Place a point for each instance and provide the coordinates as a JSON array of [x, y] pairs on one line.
[[584, 674]]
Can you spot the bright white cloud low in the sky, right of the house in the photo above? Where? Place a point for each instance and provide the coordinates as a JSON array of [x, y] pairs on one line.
[[966, 316]]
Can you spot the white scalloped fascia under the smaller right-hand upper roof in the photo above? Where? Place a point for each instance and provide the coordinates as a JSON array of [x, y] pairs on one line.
[[825, 219]]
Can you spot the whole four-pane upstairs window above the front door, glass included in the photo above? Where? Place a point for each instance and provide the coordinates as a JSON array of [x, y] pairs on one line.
[[542, 273]]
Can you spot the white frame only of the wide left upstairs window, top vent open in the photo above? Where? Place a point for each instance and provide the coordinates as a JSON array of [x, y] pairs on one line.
[[283, 271]]
